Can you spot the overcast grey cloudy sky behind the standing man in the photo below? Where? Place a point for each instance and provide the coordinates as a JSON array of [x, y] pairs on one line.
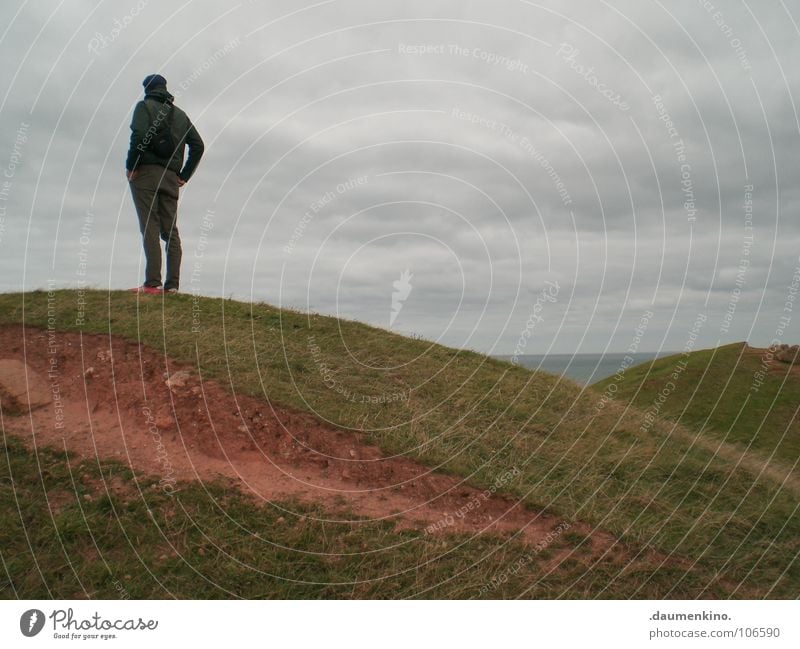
[[556, 172]]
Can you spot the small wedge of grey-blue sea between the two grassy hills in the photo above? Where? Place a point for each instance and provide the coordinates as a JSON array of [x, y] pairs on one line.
[[583, 368]]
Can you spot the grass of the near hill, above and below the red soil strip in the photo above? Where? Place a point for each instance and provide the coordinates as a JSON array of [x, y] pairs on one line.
[[731, 528]]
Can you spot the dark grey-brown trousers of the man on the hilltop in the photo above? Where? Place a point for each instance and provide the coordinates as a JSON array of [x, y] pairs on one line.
[[155, 195]]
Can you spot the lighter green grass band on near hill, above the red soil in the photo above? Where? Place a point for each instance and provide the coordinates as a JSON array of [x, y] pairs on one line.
[[661, 485]]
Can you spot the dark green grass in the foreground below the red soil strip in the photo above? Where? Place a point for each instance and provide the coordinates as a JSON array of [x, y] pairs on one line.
[[75, 529]]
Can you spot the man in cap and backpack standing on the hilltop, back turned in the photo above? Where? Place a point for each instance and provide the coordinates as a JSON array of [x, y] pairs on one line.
[[155, 171]]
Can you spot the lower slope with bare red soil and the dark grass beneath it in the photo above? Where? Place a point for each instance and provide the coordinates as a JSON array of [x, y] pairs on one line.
[[287, 506]]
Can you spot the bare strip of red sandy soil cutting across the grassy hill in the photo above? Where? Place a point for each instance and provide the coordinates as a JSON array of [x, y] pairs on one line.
[[118, 404]]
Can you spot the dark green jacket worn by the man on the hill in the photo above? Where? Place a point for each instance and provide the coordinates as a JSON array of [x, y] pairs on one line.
[[159, 102]]
